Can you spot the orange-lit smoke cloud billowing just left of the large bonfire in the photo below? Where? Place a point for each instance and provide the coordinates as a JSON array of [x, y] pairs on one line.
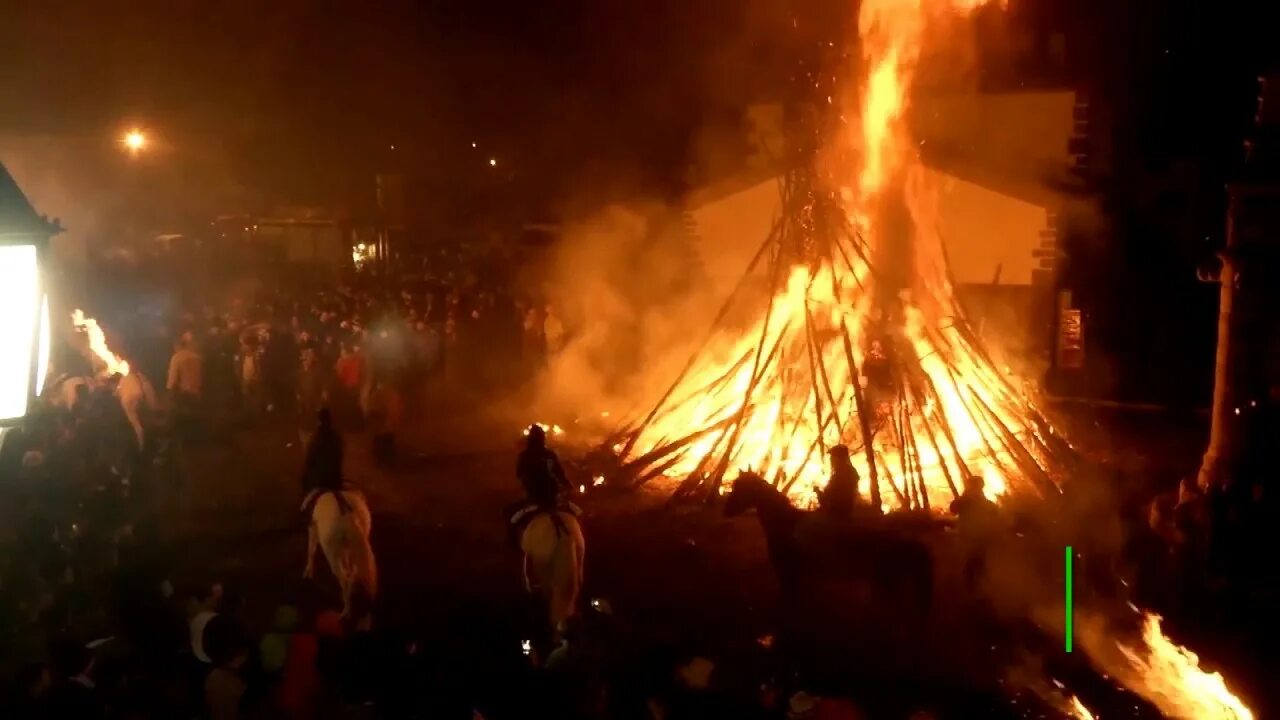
[[625, 284]]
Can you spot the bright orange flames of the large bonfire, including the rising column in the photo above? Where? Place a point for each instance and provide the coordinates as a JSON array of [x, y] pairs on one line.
[[966, 418]]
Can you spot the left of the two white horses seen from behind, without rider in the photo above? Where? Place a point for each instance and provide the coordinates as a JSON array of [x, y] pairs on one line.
[[344, 536]]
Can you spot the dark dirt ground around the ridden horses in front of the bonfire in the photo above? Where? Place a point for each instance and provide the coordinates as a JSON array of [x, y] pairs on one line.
[[676, 576]]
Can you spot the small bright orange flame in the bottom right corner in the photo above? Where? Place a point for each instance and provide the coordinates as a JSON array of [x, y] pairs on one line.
[[1171, 677]]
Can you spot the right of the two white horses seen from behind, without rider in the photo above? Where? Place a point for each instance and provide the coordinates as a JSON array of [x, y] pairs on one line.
[[555, 554]]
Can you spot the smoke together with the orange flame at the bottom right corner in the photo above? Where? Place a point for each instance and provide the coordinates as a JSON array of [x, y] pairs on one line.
[[1119, 648]]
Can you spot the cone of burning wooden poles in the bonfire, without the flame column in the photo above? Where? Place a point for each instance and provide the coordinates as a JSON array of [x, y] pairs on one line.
[[798, 384]]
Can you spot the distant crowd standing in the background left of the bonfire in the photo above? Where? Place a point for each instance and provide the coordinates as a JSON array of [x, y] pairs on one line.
[[369, 354]]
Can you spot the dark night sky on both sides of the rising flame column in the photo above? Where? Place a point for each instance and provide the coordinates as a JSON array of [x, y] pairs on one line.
[[304, 99]]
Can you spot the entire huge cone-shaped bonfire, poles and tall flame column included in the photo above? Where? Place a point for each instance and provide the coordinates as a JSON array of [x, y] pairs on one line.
[[862, 341]]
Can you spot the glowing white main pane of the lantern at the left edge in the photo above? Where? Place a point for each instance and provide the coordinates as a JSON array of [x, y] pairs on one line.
[[19, 299]]
